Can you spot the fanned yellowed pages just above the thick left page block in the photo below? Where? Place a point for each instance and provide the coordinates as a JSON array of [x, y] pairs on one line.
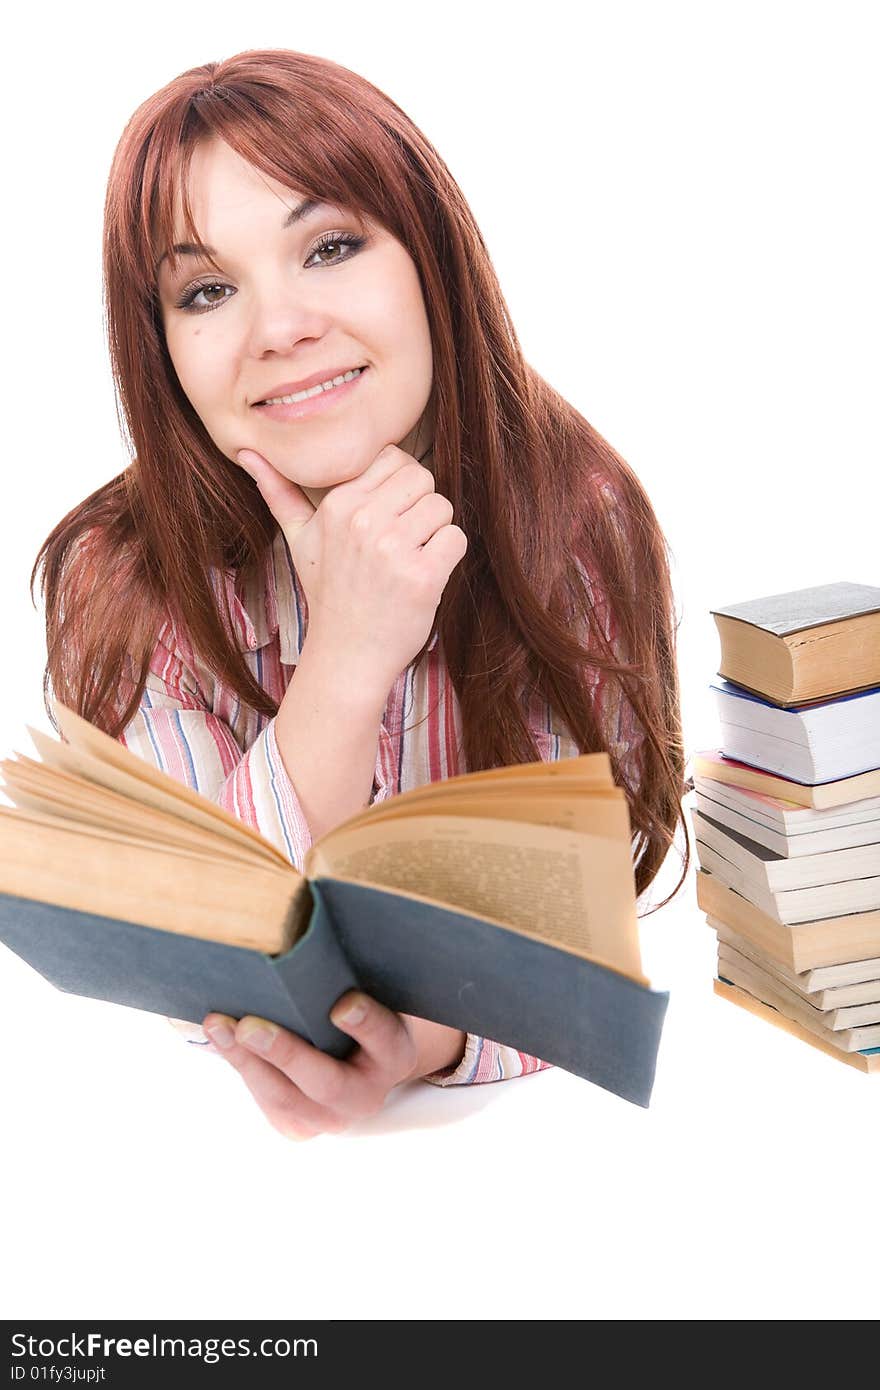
[[49, 792]]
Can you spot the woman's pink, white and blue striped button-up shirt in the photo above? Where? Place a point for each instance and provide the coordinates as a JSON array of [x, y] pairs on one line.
[[195, 729]]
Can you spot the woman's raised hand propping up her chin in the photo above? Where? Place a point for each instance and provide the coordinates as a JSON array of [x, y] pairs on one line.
[[373, 558]]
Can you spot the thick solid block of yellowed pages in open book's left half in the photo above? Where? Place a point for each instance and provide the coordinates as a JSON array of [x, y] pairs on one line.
[[155, 888]]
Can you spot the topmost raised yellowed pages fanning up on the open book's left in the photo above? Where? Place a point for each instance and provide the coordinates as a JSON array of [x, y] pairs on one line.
[[159, 790]]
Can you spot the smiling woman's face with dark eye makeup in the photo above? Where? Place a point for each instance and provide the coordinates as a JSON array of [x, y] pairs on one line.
[[294, 304]]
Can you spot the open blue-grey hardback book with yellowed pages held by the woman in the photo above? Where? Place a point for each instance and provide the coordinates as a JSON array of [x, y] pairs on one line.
[[498, 903]]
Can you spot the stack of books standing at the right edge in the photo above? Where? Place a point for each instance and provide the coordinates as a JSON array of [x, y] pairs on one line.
[[788, 817]]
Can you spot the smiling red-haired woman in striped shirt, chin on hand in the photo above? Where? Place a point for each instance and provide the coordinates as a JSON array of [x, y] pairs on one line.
[[362, 544]]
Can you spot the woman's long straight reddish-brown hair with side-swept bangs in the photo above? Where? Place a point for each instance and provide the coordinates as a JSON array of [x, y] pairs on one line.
[[557, 522]]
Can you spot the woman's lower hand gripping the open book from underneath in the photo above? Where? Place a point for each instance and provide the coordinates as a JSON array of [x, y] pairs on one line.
[[304, 1092]]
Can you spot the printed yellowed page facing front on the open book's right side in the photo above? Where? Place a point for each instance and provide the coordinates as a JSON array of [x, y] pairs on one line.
[[575, 892]]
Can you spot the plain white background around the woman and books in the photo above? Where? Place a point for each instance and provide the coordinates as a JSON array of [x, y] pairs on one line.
[[681, 202]]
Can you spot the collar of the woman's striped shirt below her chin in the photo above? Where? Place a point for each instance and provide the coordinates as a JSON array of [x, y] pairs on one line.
[[273, 604]]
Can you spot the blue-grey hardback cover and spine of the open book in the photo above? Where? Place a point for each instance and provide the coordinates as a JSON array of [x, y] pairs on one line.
[[411, 954]]
